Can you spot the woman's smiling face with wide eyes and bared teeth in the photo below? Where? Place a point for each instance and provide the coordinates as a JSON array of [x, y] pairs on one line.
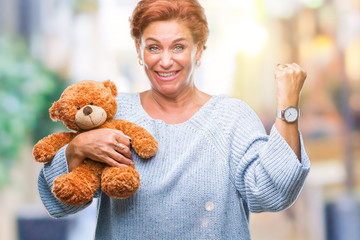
[[169, 55]]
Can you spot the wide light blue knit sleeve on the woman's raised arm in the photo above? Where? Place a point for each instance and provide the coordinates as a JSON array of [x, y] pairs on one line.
[[266, 171]]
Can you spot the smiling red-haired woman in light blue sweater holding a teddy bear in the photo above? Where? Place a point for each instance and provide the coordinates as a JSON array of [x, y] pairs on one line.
[[215, 163]]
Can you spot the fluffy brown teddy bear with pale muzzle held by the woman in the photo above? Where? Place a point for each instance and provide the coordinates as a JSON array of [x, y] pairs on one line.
[[84, 106]]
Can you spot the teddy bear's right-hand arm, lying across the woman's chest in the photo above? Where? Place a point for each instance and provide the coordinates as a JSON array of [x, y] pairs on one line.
[[142, 141]]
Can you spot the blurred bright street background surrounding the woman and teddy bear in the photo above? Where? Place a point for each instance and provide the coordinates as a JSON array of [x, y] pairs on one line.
[[46, 45]]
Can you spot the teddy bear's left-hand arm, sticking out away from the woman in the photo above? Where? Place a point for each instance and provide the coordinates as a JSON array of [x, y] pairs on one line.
[[45, 150]]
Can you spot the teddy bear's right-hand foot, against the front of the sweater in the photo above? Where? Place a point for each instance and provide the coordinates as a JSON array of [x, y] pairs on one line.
[[120, 182]]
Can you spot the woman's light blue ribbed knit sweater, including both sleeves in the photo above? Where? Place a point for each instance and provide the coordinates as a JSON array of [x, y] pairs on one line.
[[209, 172]]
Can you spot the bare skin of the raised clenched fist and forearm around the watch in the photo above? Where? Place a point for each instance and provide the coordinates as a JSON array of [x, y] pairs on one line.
[[290, 79]]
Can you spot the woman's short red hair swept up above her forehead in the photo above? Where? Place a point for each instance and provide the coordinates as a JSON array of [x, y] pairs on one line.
[[188, 12]]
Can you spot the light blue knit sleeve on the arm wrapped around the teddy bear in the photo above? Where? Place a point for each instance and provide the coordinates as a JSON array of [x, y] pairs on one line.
[[48, 173]]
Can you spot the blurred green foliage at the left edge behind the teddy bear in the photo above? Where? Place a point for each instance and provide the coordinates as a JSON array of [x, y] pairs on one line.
[[27, 90]]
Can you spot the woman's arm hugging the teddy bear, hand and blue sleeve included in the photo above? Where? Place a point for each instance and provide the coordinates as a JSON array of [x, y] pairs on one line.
[[98, 145]]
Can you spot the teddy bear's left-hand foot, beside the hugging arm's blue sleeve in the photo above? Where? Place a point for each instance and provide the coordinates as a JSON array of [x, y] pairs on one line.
[[75, 190]]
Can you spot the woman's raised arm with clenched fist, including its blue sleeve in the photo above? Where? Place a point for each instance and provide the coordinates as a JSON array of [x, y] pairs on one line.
[[269, 170]]
